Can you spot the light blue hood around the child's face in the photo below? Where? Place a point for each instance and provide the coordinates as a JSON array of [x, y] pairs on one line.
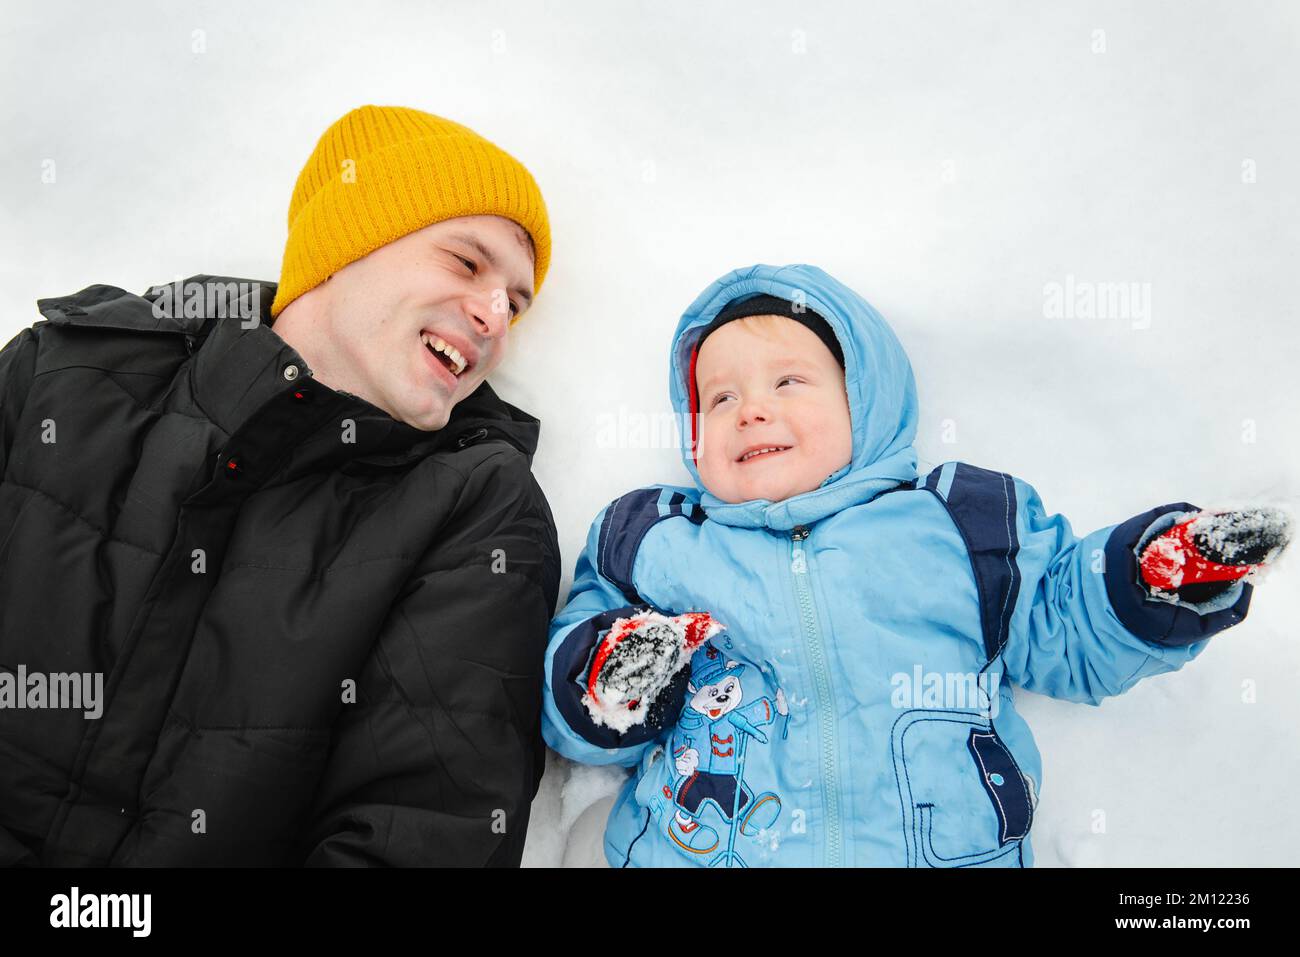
[[878, 378]]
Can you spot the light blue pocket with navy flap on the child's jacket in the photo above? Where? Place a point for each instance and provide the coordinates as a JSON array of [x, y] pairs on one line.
[[964, 799]]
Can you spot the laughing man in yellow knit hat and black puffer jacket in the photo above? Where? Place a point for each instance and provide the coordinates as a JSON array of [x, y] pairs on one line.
[[293, 557]]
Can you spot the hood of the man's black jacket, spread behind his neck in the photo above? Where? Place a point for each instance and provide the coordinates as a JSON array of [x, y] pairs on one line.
[[480, 415]]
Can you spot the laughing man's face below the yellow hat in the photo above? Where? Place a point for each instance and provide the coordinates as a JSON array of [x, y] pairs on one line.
[[417, 326]]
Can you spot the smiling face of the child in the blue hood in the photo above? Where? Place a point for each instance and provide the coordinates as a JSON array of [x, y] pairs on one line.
[[770, 384]]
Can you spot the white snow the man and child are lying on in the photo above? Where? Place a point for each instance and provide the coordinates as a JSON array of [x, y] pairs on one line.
[[957, 167]]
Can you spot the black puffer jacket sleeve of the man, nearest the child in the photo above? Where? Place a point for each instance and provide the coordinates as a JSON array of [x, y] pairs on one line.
[[440, 757]]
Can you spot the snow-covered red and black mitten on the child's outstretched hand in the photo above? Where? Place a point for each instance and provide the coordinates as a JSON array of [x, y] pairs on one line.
[[1203, 556]]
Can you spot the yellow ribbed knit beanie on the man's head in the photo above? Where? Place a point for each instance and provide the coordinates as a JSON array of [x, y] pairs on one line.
[[383, 172]]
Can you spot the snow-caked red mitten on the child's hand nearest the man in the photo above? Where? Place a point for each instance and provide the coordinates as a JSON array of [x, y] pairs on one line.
[[638, 660]]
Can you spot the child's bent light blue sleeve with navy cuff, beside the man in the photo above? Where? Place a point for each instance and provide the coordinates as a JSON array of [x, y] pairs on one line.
[[593, 605]]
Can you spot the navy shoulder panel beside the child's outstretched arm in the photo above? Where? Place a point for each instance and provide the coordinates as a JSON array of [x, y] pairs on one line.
[[982, 505]]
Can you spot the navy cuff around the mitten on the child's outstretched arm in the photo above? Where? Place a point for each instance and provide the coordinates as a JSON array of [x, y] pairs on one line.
[[1152, 620]]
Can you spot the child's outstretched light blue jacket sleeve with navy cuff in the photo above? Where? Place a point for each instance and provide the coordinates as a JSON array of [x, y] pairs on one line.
[[1086, 627]]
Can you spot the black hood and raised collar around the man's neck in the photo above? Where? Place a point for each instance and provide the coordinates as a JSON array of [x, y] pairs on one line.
[[240, 366]]
